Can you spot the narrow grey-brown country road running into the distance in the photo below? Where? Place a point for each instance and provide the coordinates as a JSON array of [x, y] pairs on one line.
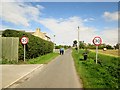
[[60, 73]]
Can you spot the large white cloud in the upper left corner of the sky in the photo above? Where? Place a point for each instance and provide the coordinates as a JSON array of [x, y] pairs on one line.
[[19, 13]]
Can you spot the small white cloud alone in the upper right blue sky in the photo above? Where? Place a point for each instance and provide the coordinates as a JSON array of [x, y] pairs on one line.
[[111, 16]]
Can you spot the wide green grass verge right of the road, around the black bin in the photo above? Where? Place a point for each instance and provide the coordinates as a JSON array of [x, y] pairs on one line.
[[102, 75]]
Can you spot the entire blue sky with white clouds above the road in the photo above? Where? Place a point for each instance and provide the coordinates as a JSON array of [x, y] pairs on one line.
[[62, 20]]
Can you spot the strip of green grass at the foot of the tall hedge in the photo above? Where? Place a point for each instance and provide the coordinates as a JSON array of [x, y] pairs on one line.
[[39, 60]]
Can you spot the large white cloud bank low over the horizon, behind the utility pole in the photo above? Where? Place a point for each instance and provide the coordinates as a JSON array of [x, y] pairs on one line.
[[66, 31]]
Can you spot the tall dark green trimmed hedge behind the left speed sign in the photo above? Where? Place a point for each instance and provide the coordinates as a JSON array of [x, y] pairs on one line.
[[35, 47]]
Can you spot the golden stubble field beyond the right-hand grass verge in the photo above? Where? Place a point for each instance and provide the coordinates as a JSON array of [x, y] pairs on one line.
[[115, 53]]
